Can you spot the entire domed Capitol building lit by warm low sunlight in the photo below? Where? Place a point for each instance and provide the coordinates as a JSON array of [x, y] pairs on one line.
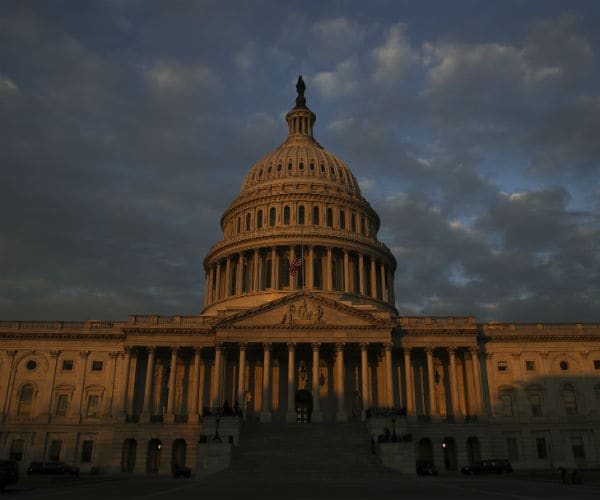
[[298, 328]]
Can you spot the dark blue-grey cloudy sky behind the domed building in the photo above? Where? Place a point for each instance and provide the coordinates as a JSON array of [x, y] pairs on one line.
[[128, 126]]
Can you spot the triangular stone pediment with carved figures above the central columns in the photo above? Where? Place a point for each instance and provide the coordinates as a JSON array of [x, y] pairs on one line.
[[304, 310]]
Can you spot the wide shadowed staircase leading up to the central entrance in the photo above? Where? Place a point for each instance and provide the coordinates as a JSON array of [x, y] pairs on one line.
[[323, 451]]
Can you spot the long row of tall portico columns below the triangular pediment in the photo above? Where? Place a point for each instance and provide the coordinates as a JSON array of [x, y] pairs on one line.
[[338, 381]]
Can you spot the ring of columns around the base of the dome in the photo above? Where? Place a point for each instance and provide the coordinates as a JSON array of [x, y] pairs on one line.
[[216, 290]]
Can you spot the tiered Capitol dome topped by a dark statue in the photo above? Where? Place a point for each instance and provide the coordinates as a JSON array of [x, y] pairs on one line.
[[299, 204]]
